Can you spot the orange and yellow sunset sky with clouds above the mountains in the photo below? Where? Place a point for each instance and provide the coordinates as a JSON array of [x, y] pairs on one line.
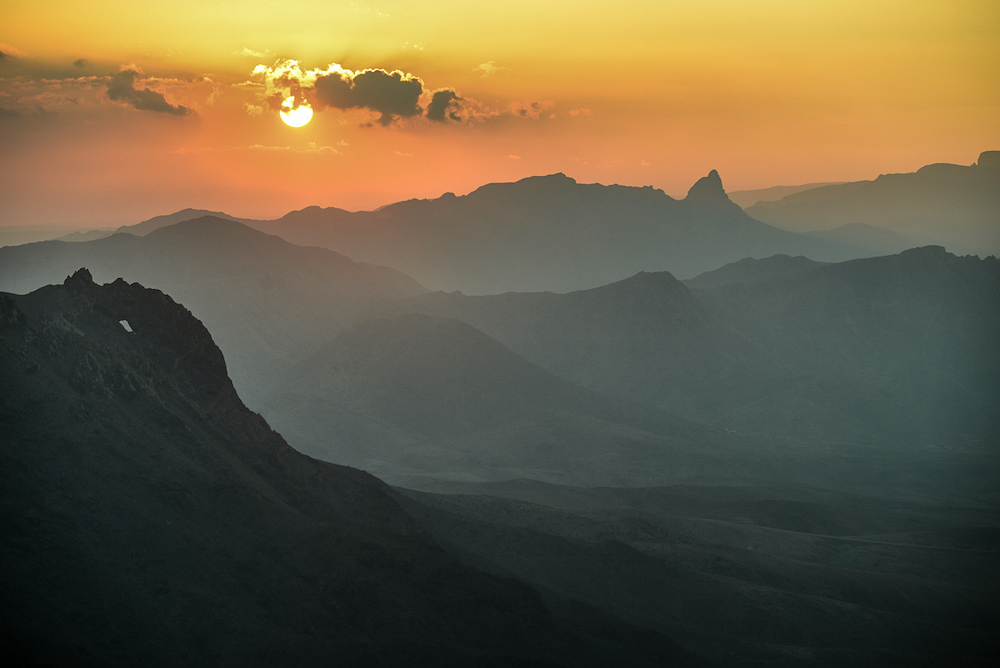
[[112, 111]]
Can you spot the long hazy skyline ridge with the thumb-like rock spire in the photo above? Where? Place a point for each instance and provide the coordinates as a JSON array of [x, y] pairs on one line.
[[551, 233]]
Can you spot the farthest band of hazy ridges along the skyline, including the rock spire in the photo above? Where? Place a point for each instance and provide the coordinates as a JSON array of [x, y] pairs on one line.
[[552, 233]]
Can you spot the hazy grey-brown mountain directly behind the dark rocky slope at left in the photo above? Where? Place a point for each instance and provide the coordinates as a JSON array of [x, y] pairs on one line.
[[267, 302]]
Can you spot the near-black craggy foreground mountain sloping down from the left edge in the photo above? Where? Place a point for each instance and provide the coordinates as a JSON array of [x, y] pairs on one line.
[[150, 519]]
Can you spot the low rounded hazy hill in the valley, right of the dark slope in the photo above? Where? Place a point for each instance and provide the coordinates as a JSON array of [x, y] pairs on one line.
[[422, 395]]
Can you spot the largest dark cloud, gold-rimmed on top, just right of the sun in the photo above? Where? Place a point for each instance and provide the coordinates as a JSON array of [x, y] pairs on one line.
[[392, 94]]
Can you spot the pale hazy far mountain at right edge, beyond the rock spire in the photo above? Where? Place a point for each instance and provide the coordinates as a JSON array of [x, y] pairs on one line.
[[951, 205]]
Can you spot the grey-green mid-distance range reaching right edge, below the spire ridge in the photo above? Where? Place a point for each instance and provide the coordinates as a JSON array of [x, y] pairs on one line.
[[885, 349]]
